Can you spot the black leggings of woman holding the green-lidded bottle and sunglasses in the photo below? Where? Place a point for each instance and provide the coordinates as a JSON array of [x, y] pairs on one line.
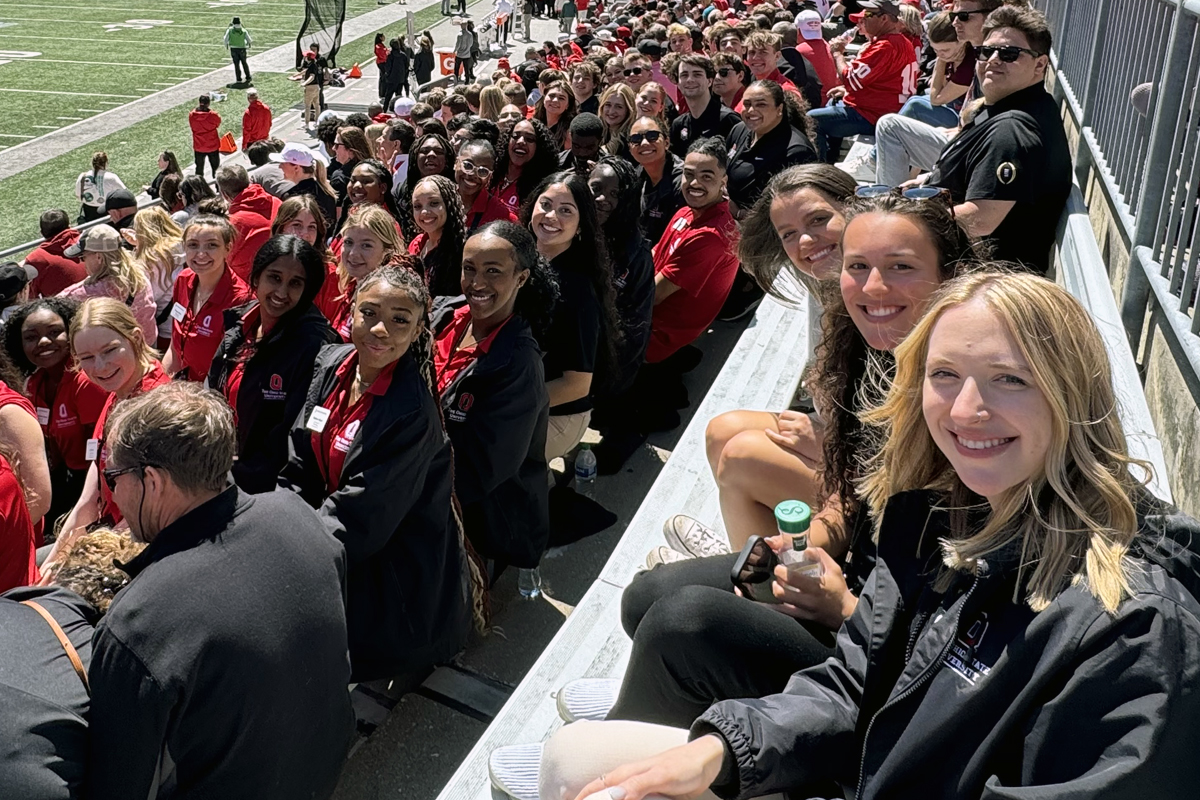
[[695, 643]]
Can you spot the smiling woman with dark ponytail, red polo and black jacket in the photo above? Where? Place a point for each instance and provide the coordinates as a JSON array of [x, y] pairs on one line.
[[487, 348]]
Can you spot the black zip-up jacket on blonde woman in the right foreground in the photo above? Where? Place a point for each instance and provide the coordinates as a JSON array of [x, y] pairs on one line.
[[971, 695]]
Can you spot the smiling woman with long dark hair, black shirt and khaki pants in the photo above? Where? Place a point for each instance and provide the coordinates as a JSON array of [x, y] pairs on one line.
[[586, 333]]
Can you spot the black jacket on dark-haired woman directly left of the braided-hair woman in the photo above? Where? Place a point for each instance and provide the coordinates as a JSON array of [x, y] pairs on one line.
[[274, 386]]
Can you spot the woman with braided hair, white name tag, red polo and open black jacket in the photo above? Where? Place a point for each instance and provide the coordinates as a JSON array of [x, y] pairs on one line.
[[369, 452]]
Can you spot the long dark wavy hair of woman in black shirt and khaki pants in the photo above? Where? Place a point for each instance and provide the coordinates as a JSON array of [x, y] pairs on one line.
[[587, 256]]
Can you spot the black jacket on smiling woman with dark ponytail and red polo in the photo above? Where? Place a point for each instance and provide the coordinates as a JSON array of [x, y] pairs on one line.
[[496, 413]]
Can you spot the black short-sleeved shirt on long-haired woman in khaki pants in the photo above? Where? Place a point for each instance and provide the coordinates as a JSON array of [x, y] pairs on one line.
[[574, 340]]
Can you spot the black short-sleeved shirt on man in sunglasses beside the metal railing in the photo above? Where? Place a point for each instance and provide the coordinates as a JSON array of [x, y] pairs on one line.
[[1016, 151]]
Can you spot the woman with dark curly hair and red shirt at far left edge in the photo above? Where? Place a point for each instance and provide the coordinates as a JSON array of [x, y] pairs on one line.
[[68, 405]]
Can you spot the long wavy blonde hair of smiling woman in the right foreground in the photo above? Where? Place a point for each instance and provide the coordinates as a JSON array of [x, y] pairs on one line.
[[1075, 521]]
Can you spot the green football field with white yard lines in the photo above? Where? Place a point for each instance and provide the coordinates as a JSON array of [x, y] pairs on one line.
[[65, 61]]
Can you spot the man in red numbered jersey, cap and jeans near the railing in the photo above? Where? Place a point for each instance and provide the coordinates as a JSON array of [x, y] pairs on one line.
[[877, 83]]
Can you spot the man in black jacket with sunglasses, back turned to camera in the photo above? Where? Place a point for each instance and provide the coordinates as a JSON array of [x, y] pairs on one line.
[[221, 671]]
